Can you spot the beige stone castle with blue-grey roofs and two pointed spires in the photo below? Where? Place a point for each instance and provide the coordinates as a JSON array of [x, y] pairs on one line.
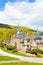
[[25, 42]]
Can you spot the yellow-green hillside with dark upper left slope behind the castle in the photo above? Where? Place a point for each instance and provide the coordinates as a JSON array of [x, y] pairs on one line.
[[6, 31]]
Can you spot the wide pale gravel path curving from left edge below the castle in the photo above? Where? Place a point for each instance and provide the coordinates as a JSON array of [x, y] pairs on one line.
[[22, 59]]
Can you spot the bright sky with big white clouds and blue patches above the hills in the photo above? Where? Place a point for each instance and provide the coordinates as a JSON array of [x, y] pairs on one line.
[[27, 13]]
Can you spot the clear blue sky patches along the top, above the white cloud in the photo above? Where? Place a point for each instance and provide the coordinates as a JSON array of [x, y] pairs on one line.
[[3, 2]]
